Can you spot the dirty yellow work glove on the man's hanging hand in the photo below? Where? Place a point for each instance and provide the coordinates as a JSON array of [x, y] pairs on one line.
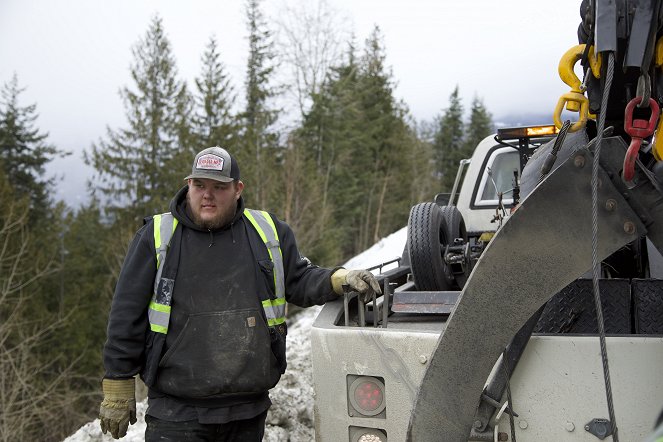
[[118, 409]]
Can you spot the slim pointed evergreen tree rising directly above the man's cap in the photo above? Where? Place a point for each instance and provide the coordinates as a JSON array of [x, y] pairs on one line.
[[214, 124]]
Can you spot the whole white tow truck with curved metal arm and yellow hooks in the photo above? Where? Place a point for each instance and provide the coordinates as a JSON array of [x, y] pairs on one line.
[[528, 305]]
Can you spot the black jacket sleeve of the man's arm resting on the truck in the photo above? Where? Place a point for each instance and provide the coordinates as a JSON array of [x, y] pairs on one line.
[[305, 284]]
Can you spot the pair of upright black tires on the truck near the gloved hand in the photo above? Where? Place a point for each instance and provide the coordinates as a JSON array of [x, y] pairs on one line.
[[430, 229]]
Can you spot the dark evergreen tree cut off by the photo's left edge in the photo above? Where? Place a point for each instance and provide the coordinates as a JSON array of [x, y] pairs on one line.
[[24, 151]]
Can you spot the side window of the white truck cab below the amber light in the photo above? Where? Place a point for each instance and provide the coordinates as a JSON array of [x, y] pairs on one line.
[[498, 176]]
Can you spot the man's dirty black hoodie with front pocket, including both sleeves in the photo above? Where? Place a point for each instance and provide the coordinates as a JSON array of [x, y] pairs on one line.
[[217, 351]]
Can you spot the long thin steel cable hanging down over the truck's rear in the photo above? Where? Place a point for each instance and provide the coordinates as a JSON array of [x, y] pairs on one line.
[[596, 265]]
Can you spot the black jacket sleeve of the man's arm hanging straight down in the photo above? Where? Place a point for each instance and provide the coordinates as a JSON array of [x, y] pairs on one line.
[[128, 324]]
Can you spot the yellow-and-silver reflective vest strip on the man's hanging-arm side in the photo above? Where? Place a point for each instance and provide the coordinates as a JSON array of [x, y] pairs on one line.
[[159, 309]]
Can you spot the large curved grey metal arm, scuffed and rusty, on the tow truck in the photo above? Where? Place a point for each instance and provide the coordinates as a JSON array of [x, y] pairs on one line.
[[543, 246]]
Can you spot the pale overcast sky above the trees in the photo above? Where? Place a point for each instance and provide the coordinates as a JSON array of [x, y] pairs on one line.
[[73, 56]]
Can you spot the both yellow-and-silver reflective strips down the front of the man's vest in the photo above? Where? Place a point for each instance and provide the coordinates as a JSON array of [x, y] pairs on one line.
[[164, 227]]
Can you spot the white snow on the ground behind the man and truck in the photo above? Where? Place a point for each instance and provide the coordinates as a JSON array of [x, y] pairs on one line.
[[291, 416]]
